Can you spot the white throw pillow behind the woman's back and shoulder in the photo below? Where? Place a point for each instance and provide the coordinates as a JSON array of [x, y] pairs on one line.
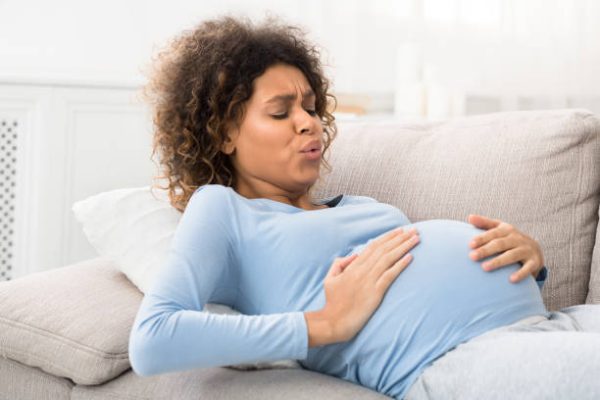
[[134, 227]]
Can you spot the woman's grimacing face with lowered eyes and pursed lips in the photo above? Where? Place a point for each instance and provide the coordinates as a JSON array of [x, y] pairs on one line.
[[279, 121]]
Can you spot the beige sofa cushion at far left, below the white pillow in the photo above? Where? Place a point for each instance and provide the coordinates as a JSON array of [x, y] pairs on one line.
[[80, 331]]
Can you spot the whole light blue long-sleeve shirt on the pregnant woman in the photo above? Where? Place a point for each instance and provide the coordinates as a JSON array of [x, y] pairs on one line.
[[268, 260]]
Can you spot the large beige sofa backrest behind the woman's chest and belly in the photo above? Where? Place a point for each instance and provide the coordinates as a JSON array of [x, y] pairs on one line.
[[538, 170]]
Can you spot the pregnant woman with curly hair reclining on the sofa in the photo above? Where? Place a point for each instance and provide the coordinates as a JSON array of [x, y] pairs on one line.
[[346, 285]]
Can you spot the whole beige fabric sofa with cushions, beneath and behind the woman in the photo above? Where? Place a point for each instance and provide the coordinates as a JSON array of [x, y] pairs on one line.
[[64, 333]]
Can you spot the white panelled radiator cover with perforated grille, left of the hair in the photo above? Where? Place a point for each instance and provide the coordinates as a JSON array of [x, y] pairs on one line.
[[68, 141]]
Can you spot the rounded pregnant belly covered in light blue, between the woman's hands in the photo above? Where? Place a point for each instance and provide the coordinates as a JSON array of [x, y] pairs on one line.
[[441, 299]]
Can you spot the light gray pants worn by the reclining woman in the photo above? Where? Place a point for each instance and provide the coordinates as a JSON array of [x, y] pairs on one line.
[[554, 357]]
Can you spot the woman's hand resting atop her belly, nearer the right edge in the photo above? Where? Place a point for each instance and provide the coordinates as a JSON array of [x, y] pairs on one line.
[[515, 245]]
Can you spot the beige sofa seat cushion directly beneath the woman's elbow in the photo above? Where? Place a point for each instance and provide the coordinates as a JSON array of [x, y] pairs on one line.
[[228, 384]]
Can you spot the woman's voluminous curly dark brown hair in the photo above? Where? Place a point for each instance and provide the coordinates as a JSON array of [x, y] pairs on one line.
[[199, 84]]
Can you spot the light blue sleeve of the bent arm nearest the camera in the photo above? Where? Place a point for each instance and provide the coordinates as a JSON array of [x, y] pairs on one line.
[[171, 332]]
